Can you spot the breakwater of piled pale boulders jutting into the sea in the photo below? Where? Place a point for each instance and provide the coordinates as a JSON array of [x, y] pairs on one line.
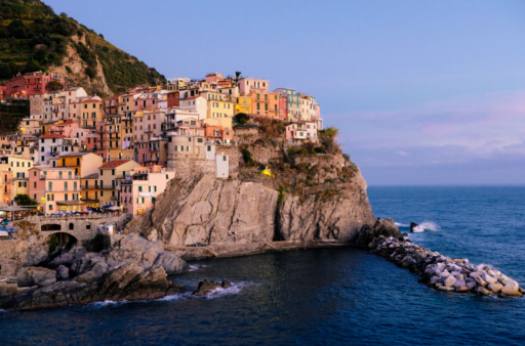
[[436, 270]]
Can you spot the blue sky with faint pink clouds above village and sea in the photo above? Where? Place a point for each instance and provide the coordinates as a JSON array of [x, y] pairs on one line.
[[423, 92]]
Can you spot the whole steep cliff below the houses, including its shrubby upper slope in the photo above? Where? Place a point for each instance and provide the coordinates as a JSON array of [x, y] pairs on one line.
[[315, 197]]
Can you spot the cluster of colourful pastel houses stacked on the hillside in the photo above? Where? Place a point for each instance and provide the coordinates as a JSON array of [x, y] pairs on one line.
[[76, 151]]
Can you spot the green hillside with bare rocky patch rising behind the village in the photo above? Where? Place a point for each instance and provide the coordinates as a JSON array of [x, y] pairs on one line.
[[33, 37]]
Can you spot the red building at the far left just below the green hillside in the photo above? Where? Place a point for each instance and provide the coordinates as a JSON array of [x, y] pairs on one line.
[[29, 84]]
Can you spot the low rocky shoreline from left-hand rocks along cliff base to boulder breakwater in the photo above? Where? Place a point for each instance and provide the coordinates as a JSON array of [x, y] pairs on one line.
[[135, 268]]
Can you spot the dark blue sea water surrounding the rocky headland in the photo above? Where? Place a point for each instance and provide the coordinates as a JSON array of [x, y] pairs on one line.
[[335, 296]]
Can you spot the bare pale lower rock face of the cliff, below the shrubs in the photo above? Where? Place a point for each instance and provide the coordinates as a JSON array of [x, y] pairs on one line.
[[204, 216]]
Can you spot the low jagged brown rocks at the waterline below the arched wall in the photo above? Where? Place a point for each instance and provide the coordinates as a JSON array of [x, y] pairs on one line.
[[134, 268]]
